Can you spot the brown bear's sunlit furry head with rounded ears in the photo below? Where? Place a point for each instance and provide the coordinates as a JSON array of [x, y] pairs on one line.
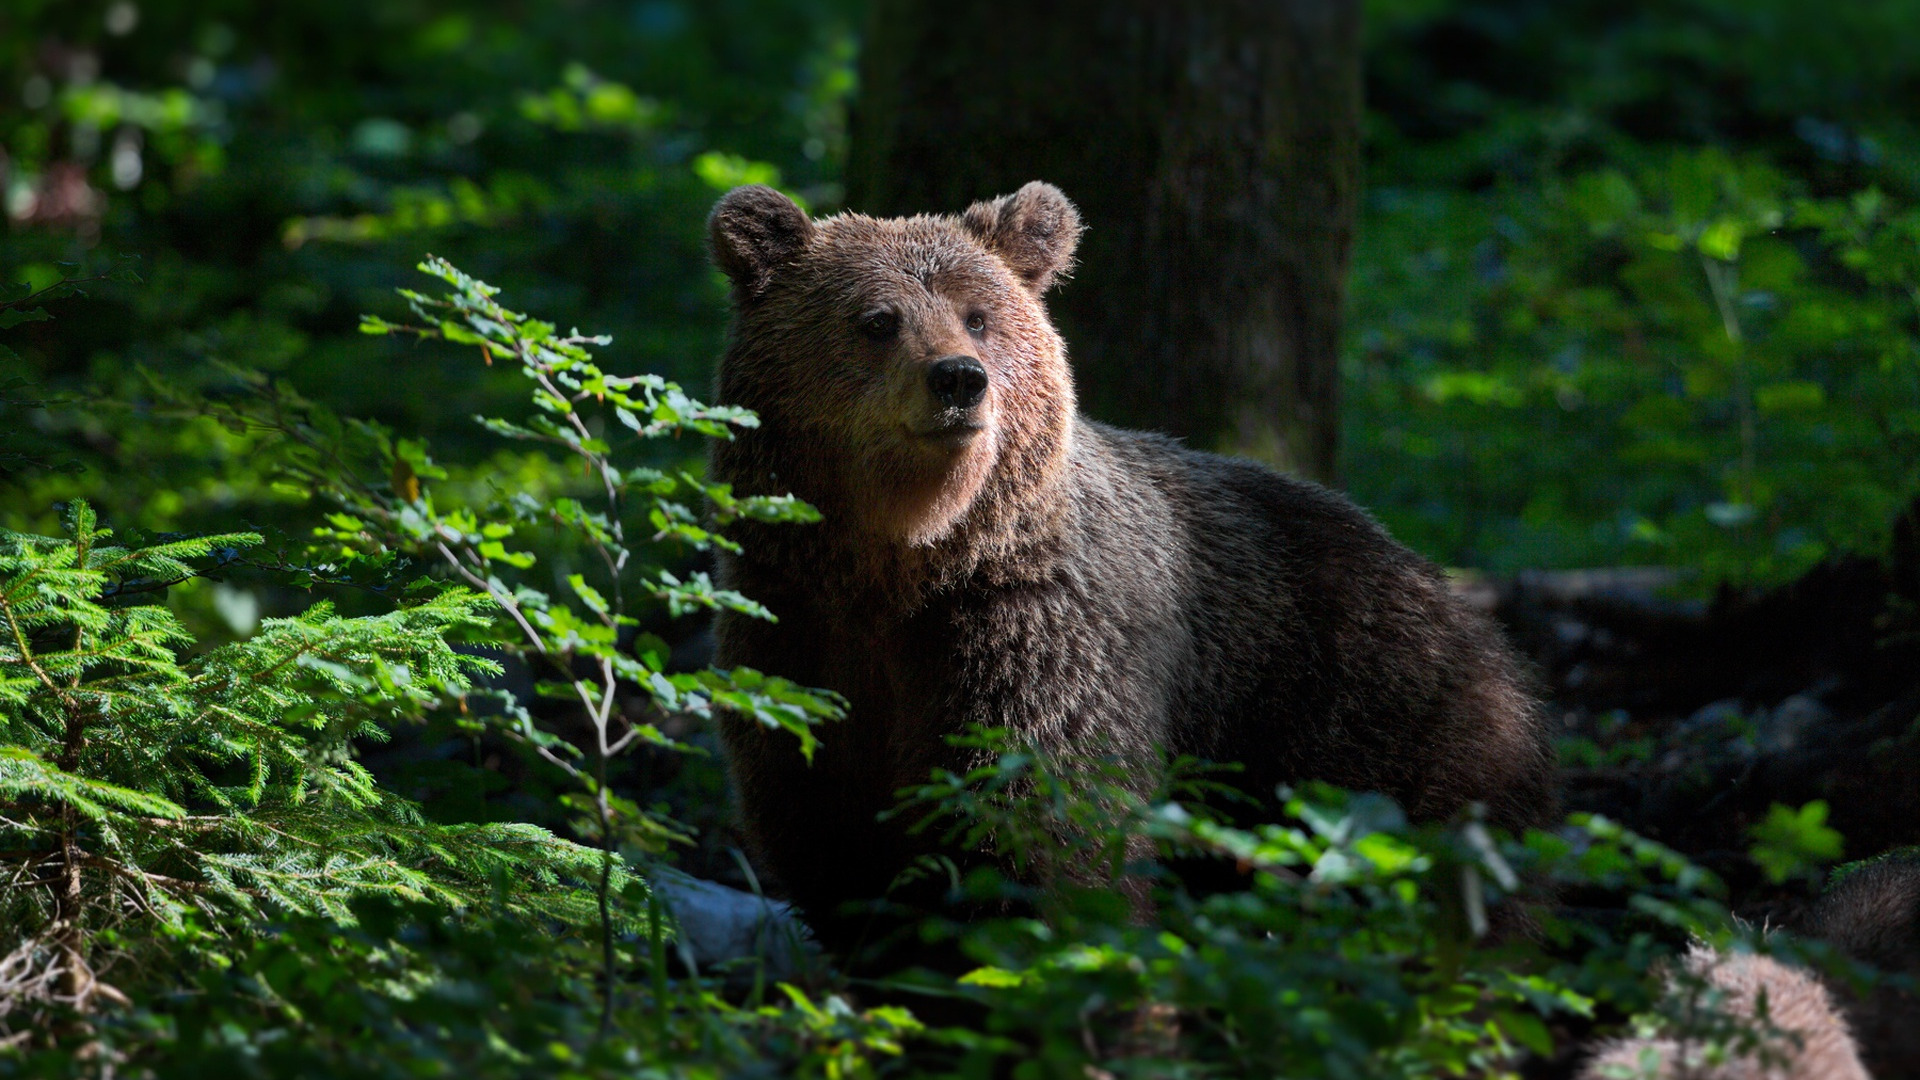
[[905, 372]]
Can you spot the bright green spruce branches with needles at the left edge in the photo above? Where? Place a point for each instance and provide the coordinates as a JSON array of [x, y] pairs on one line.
[[153, 798]]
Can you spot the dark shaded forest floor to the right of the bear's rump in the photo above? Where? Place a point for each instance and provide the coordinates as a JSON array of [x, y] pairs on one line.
[[1689, 722]]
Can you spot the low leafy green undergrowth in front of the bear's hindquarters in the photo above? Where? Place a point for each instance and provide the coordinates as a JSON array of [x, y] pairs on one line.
[[1349, 943]]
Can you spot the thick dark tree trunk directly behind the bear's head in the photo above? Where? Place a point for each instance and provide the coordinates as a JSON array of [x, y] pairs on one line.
[[1214, 153]]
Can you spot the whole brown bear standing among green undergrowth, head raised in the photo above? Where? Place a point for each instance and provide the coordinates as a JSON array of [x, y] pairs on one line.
[[988, 556]]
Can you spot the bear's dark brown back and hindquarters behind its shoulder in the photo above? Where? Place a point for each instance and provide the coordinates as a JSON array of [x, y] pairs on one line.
[[1322, 649]]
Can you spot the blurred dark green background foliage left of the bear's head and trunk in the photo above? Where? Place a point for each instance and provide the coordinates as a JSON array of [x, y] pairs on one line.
[[279, 168]]
